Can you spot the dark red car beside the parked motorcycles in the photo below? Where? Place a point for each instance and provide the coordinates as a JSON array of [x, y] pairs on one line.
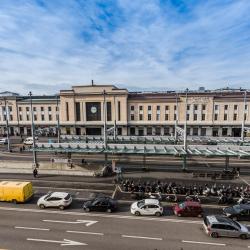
[[188, 208]]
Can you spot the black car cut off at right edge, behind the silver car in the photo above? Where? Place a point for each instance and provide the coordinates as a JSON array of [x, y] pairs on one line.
[[238, 212]]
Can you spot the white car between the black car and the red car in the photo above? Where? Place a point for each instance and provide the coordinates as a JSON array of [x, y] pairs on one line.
[[147, 207]]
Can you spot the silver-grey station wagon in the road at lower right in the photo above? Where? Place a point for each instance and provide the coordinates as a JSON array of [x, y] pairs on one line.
[[217, 225]]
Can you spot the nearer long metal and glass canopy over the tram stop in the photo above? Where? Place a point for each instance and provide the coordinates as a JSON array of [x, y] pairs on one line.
[[146, 149]]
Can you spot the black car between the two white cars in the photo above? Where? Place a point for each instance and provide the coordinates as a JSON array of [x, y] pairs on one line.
[[100, 204]]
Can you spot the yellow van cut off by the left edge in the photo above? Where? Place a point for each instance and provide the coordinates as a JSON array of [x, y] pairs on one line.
[[16, 191]]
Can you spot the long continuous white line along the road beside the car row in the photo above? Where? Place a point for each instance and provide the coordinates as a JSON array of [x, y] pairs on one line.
[[100, 215]]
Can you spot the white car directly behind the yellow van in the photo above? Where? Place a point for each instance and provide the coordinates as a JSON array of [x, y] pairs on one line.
[[55, 199]]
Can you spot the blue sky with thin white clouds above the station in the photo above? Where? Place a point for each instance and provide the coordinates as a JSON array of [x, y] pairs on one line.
[[47, 45]]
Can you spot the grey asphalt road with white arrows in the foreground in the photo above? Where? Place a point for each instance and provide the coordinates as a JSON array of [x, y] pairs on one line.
[[24, 227]]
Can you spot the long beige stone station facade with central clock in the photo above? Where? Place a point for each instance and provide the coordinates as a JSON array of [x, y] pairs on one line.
[[81, 111]]
